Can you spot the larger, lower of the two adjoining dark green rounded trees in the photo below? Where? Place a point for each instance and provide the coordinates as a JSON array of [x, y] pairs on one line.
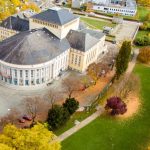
[[57, 116]]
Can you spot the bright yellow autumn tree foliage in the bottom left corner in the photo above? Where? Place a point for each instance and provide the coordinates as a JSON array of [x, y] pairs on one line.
[[38, 137]]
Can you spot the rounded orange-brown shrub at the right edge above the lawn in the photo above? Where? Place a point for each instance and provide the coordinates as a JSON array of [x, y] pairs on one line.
[[144, 55]]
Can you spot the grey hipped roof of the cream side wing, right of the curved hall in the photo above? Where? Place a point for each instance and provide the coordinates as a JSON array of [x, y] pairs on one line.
[[83, 40]]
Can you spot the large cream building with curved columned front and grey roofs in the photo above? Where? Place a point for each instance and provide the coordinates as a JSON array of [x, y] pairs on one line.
[[53, 43]]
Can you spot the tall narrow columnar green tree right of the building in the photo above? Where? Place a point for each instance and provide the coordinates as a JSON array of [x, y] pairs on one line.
[[122, 59]]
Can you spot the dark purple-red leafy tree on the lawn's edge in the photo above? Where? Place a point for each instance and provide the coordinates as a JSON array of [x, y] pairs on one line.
[[116, 105]]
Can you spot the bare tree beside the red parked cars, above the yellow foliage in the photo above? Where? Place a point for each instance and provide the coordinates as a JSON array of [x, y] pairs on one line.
[[36, 106]]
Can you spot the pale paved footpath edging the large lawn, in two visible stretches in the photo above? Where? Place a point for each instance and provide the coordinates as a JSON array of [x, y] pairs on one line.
[[97, 113]]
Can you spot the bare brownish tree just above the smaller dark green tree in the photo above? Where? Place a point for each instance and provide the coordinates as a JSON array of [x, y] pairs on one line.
[[71, 84]]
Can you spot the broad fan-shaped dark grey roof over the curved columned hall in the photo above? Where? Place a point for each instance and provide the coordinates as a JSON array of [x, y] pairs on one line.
[[32, 47]]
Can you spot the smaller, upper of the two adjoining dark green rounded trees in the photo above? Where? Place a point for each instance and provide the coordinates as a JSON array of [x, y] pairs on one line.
[[71, 104]]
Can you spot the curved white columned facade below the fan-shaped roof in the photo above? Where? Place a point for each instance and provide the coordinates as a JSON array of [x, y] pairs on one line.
[[32, 75]]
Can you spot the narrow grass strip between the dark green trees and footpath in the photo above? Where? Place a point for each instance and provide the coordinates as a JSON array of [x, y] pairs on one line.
[[77, 116]]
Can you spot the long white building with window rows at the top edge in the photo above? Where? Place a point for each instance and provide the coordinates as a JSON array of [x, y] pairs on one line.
[[122, 7]]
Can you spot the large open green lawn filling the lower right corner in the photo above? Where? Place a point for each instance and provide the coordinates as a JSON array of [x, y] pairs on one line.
[[107, 133]]
